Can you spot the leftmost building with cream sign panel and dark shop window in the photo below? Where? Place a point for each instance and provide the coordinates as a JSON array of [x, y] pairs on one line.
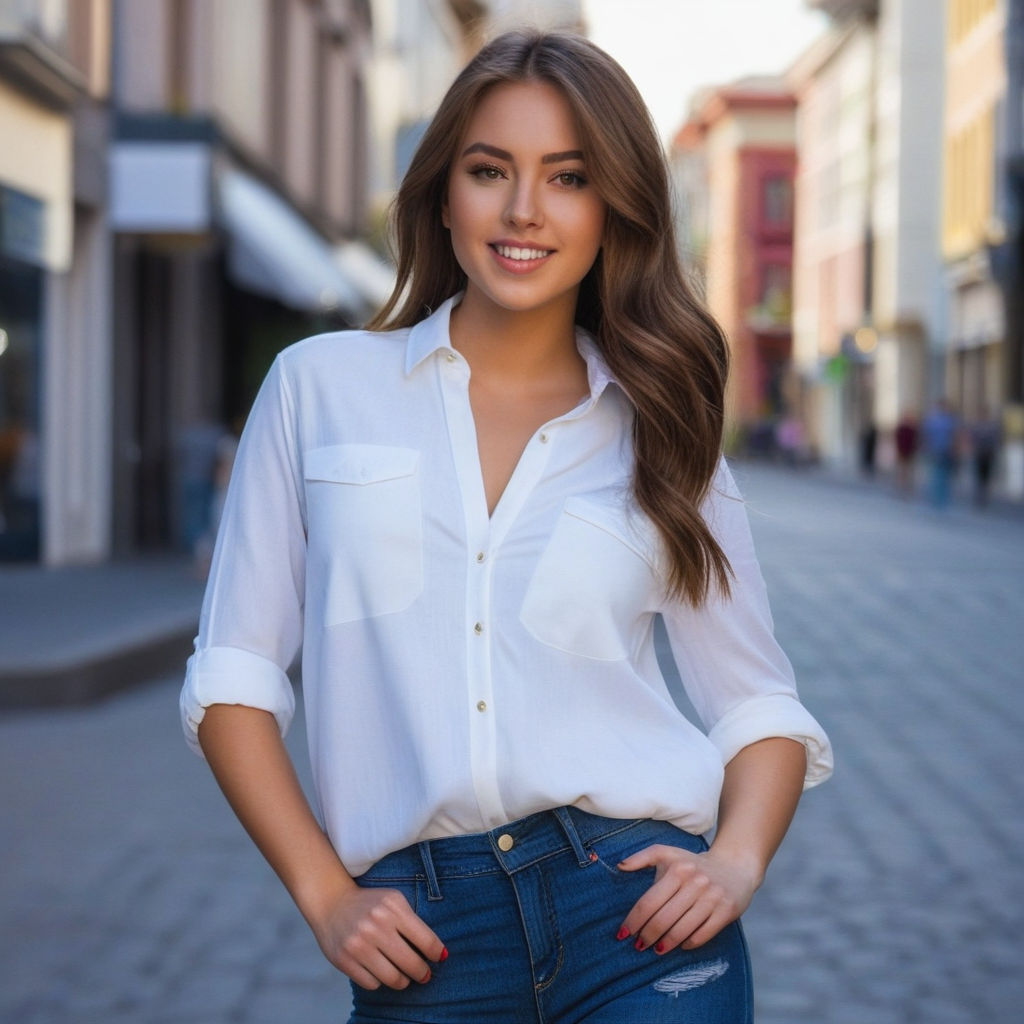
[[55, 281]]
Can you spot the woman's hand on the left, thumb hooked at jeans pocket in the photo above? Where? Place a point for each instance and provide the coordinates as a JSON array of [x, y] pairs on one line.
[[374, 936]]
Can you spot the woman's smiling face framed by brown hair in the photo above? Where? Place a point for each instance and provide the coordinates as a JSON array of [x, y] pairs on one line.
[[526, 222]]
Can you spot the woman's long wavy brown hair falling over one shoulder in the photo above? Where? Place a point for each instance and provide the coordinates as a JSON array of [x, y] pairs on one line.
[[661, 345]]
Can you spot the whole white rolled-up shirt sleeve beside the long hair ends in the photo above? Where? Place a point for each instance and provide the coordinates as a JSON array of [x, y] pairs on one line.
[[737, 675]]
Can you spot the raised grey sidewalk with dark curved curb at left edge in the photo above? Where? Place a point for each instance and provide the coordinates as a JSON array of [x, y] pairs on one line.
[[73, 635]]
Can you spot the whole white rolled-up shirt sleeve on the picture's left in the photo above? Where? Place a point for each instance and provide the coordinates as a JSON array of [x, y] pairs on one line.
[[251, 624]]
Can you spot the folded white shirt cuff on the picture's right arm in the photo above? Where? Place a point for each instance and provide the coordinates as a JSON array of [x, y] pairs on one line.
[[770, 717]]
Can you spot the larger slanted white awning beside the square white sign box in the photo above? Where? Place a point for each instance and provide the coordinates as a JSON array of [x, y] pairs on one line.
[[274, 252]]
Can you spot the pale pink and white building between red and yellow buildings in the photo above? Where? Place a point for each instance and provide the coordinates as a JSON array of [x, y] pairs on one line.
[[870, 321]]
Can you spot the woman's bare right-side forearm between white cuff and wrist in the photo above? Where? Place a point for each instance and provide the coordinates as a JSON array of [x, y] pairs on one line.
[[762, 788]]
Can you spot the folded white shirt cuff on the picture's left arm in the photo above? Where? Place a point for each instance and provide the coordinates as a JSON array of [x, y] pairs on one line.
[[233, 676]]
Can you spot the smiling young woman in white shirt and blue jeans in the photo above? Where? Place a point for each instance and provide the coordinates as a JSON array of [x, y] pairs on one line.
[[468, 518]]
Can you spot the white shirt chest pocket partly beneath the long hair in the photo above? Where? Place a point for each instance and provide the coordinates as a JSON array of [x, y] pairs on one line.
[[593, 585]]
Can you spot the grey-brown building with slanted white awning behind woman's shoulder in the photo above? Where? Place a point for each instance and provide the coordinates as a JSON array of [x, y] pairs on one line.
[[239, 161]]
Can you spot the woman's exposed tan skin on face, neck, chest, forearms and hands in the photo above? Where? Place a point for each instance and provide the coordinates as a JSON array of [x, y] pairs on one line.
[[516, 330]]
